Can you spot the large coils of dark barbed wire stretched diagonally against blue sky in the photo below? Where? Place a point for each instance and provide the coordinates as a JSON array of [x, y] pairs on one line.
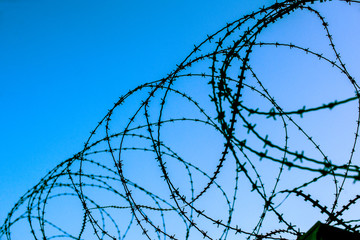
[[206, 152]]
